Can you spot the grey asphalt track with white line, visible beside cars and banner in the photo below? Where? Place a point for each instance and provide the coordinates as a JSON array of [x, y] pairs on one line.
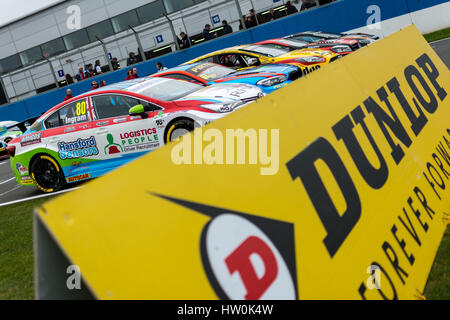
[[11, 192]]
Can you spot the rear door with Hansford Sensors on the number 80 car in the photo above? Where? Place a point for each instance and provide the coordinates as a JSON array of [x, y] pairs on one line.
[[70, 139]]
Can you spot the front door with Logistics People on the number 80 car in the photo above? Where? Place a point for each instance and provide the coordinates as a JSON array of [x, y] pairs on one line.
[[122, 137]]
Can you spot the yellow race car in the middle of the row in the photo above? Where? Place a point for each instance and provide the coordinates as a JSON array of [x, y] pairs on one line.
[[248, 56]]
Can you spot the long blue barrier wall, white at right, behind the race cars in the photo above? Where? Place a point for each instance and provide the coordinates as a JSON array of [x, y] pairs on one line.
[[340, 16]]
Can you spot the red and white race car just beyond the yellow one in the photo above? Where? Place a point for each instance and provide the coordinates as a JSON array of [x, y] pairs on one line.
[[341, 46]]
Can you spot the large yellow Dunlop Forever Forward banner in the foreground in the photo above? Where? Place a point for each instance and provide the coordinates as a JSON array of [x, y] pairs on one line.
[[335, 187]]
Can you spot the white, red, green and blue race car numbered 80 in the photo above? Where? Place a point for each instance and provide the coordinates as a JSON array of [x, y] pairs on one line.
[[89, 135]]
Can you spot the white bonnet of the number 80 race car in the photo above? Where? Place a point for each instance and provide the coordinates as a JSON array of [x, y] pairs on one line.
[[225, 92]]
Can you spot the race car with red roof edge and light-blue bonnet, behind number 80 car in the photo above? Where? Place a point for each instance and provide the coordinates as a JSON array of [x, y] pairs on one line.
[[268, 77]]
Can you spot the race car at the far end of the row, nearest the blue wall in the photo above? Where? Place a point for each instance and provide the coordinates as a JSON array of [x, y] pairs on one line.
[[315, 36]]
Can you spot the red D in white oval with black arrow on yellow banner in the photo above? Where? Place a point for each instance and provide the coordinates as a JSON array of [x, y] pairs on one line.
[[254, 262]]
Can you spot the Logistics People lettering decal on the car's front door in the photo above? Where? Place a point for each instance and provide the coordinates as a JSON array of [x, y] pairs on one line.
[[139, 140]]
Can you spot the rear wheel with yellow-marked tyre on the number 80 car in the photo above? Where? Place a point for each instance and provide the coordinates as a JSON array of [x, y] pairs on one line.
[[47, 175]]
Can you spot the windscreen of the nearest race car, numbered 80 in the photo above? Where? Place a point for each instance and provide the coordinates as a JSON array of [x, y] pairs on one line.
[[168, 89]]
